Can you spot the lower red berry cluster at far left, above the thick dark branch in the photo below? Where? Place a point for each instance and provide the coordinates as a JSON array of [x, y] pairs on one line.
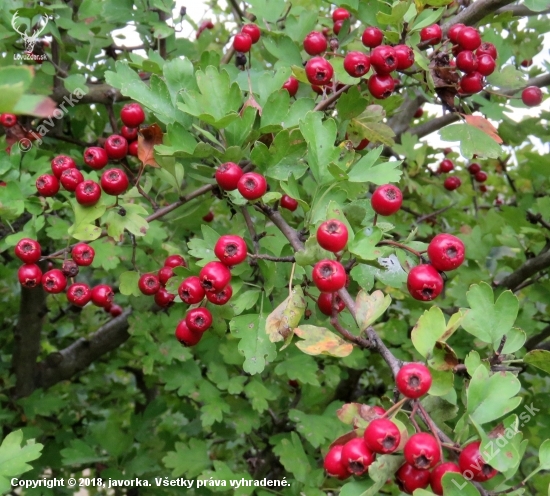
[[54, 281]]
